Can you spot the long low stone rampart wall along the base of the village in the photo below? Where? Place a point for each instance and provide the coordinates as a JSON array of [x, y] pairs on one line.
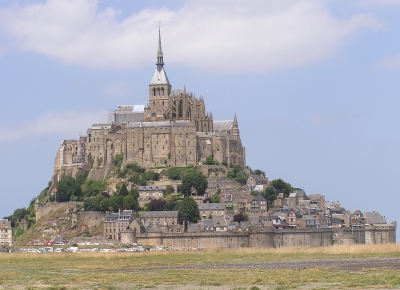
[[260, 237]]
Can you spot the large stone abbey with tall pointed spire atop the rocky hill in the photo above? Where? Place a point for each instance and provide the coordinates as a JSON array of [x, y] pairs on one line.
[[172, 129]]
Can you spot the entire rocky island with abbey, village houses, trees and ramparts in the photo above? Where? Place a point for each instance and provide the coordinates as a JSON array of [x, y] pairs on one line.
[[167, 174]]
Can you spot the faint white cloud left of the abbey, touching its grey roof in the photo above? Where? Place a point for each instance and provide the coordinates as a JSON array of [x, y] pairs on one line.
[[56, 123]]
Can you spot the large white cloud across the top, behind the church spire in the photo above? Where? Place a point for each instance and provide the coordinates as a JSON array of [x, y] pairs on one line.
[[212, 35]]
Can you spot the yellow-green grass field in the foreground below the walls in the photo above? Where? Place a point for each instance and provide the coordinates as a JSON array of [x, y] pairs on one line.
[[142, 270]]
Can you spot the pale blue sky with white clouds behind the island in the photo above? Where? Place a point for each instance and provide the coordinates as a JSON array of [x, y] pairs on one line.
[[315, 85]]
